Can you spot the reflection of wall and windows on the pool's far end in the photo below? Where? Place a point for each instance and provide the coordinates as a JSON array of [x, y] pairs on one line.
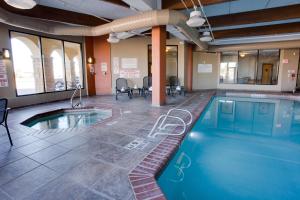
[[253, 116]]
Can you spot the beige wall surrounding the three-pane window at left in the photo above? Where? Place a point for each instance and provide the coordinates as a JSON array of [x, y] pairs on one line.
[[10, 92]]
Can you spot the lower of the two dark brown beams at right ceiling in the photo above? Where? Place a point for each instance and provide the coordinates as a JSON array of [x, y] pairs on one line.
[[256, 31]]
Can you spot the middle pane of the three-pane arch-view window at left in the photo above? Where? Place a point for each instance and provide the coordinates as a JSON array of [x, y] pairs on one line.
[[53, 60]]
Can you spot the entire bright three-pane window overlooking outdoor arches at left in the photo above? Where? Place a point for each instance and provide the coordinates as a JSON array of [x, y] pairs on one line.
[[44, 64]]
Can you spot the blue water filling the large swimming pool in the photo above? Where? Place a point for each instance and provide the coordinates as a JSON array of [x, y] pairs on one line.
[[240, 148]]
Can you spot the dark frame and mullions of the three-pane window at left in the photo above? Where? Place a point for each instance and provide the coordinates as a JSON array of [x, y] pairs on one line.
[[41, 53]]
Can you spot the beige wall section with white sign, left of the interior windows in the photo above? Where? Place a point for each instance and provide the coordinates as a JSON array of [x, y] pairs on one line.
[[205, 80]]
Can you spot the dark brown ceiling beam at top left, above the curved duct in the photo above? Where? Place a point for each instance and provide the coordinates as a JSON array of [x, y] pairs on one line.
[[54, 14]]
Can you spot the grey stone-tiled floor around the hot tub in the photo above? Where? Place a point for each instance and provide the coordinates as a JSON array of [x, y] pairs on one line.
[[85, 163]]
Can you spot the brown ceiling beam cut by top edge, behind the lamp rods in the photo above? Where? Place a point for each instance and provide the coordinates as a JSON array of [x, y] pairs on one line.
[[178, 5]]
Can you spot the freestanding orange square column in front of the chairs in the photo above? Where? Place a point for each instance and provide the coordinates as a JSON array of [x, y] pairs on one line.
[[158, 65]]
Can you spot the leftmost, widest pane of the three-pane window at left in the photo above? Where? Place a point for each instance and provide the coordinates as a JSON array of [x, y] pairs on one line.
[[27, 63]]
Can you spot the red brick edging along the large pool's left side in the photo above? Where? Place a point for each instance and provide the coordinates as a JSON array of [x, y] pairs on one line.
[[143, 177]]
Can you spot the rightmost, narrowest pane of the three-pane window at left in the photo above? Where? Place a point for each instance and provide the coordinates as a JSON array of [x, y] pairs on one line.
[[73, 62]]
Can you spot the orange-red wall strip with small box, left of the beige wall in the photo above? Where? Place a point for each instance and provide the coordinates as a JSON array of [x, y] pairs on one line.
[[102, 54]]
